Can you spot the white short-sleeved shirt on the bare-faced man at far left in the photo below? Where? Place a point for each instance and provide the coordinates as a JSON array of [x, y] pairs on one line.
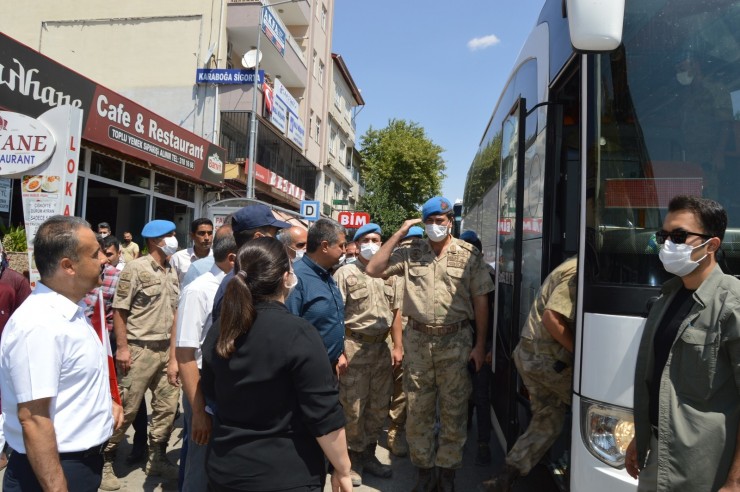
[[50, 350]]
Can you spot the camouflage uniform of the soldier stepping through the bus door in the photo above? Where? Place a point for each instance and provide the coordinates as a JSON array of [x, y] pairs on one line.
[[536, 356]]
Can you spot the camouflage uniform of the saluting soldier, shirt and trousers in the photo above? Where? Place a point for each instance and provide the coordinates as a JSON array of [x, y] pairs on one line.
[[437, 343]]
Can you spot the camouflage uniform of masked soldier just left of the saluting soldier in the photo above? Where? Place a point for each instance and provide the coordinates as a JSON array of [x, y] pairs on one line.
[[365, 389]]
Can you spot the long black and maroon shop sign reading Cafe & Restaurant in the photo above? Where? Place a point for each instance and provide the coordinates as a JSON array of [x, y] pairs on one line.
[[31, 83]]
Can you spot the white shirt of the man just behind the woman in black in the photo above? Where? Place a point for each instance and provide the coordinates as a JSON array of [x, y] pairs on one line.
[[194, 311]]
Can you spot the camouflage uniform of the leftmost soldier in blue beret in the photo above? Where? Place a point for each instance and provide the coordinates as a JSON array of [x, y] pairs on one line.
[[149, 293]]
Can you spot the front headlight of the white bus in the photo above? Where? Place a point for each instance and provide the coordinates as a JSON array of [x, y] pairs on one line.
[[606, 431]]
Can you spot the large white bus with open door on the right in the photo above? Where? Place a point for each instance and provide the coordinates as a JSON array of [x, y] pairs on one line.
[[581, 156]]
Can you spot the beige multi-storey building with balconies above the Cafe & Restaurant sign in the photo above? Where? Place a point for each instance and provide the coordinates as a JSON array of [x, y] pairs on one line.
[[153, 54]]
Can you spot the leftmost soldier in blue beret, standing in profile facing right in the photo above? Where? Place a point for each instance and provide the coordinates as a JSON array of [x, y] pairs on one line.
[[145, 312]]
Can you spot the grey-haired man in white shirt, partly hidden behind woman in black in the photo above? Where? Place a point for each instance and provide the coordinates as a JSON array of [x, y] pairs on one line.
[[193, 323]]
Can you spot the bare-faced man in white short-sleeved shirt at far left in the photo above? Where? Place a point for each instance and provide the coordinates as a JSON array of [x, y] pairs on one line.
[[54, 369]]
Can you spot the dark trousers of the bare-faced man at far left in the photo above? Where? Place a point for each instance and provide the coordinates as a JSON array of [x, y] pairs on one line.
[[83, 472]]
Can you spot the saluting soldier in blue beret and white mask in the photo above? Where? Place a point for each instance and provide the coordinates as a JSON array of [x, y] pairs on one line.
[[446, 286]]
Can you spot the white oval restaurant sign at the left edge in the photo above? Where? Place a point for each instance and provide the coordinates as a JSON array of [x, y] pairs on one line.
[[25, 143]]
